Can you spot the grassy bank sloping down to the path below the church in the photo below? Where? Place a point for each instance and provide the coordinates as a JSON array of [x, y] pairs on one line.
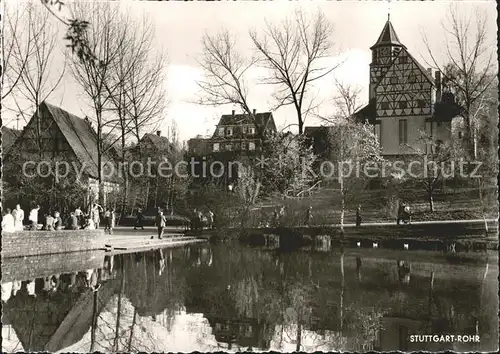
[[376, 206]]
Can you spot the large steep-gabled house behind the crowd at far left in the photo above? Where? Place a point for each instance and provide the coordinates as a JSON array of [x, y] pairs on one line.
[[64, 137]]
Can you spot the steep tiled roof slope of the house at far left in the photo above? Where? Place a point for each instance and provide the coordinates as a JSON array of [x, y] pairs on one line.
[[80, 136]]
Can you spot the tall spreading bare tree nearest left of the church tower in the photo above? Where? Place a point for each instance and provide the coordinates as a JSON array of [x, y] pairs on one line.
[[293, 54]]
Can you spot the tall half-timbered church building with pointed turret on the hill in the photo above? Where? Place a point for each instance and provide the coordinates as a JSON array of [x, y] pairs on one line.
[[405, 100]]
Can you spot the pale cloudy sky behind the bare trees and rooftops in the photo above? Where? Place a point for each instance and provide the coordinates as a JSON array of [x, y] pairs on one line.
[[357, 25]]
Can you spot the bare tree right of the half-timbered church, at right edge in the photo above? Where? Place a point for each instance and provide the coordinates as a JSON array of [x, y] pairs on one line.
[[469, 66]]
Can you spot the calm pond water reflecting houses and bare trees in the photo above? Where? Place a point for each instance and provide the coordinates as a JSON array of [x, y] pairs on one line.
[[233, 298]]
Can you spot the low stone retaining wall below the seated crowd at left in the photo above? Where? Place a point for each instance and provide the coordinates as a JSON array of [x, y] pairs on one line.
[[34, 243]]
